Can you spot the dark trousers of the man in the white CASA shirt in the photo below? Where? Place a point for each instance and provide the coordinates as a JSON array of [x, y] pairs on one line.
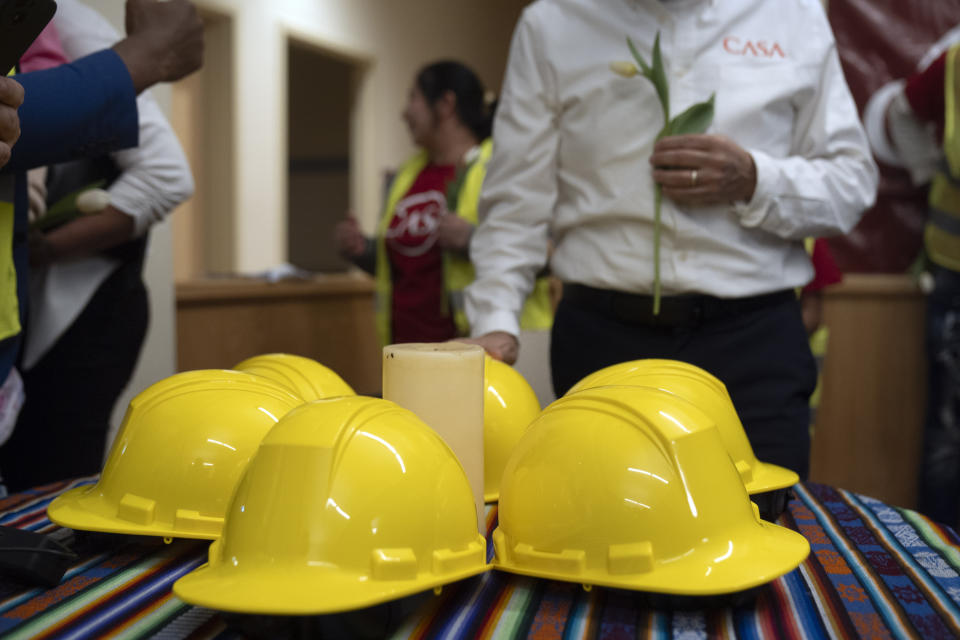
[[759, 350]]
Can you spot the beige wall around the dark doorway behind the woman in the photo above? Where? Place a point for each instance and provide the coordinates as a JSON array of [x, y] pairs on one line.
[[389, 40]]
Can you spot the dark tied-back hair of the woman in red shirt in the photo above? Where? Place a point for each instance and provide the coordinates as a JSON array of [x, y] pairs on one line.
[[435, 79]]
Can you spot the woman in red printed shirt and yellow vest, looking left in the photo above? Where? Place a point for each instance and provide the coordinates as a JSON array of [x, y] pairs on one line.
[[419, 256]]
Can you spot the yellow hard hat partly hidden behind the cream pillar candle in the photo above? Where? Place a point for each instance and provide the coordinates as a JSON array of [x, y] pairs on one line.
[[509, 406]]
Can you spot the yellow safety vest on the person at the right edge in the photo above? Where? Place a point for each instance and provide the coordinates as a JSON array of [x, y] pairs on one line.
[[942, 233]]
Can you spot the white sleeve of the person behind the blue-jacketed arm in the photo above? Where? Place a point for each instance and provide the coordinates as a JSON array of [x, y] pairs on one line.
[[155, 176]]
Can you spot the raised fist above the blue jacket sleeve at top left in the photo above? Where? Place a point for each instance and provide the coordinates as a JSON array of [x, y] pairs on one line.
[[164, 41]]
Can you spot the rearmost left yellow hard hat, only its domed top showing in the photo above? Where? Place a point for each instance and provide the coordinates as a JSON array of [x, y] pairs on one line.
[[307, 378]]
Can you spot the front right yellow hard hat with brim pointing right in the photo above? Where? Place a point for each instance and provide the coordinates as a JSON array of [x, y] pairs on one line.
[[630, 487]]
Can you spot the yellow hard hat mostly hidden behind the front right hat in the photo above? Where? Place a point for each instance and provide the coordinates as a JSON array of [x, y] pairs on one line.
[[709, 395]]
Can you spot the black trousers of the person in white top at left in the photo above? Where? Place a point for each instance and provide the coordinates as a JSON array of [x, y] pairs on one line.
[[72, 390]]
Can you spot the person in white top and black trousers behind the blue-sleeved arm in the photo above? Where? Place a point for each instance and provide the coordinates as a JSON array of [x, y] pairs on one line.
[[88, 311]]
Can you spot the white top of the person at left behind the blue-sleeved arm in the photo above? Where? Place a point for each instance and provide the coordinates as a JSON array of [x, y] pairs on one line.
[[155, 177]]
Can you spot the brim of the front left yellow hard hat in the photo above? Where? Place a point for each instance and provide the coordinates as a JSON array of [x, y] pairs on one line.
[[298, 591]]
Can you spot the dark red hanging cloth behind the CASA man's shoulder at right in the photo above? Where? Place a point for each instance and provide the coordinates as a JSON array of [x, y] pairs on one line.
[[881, 40]]
